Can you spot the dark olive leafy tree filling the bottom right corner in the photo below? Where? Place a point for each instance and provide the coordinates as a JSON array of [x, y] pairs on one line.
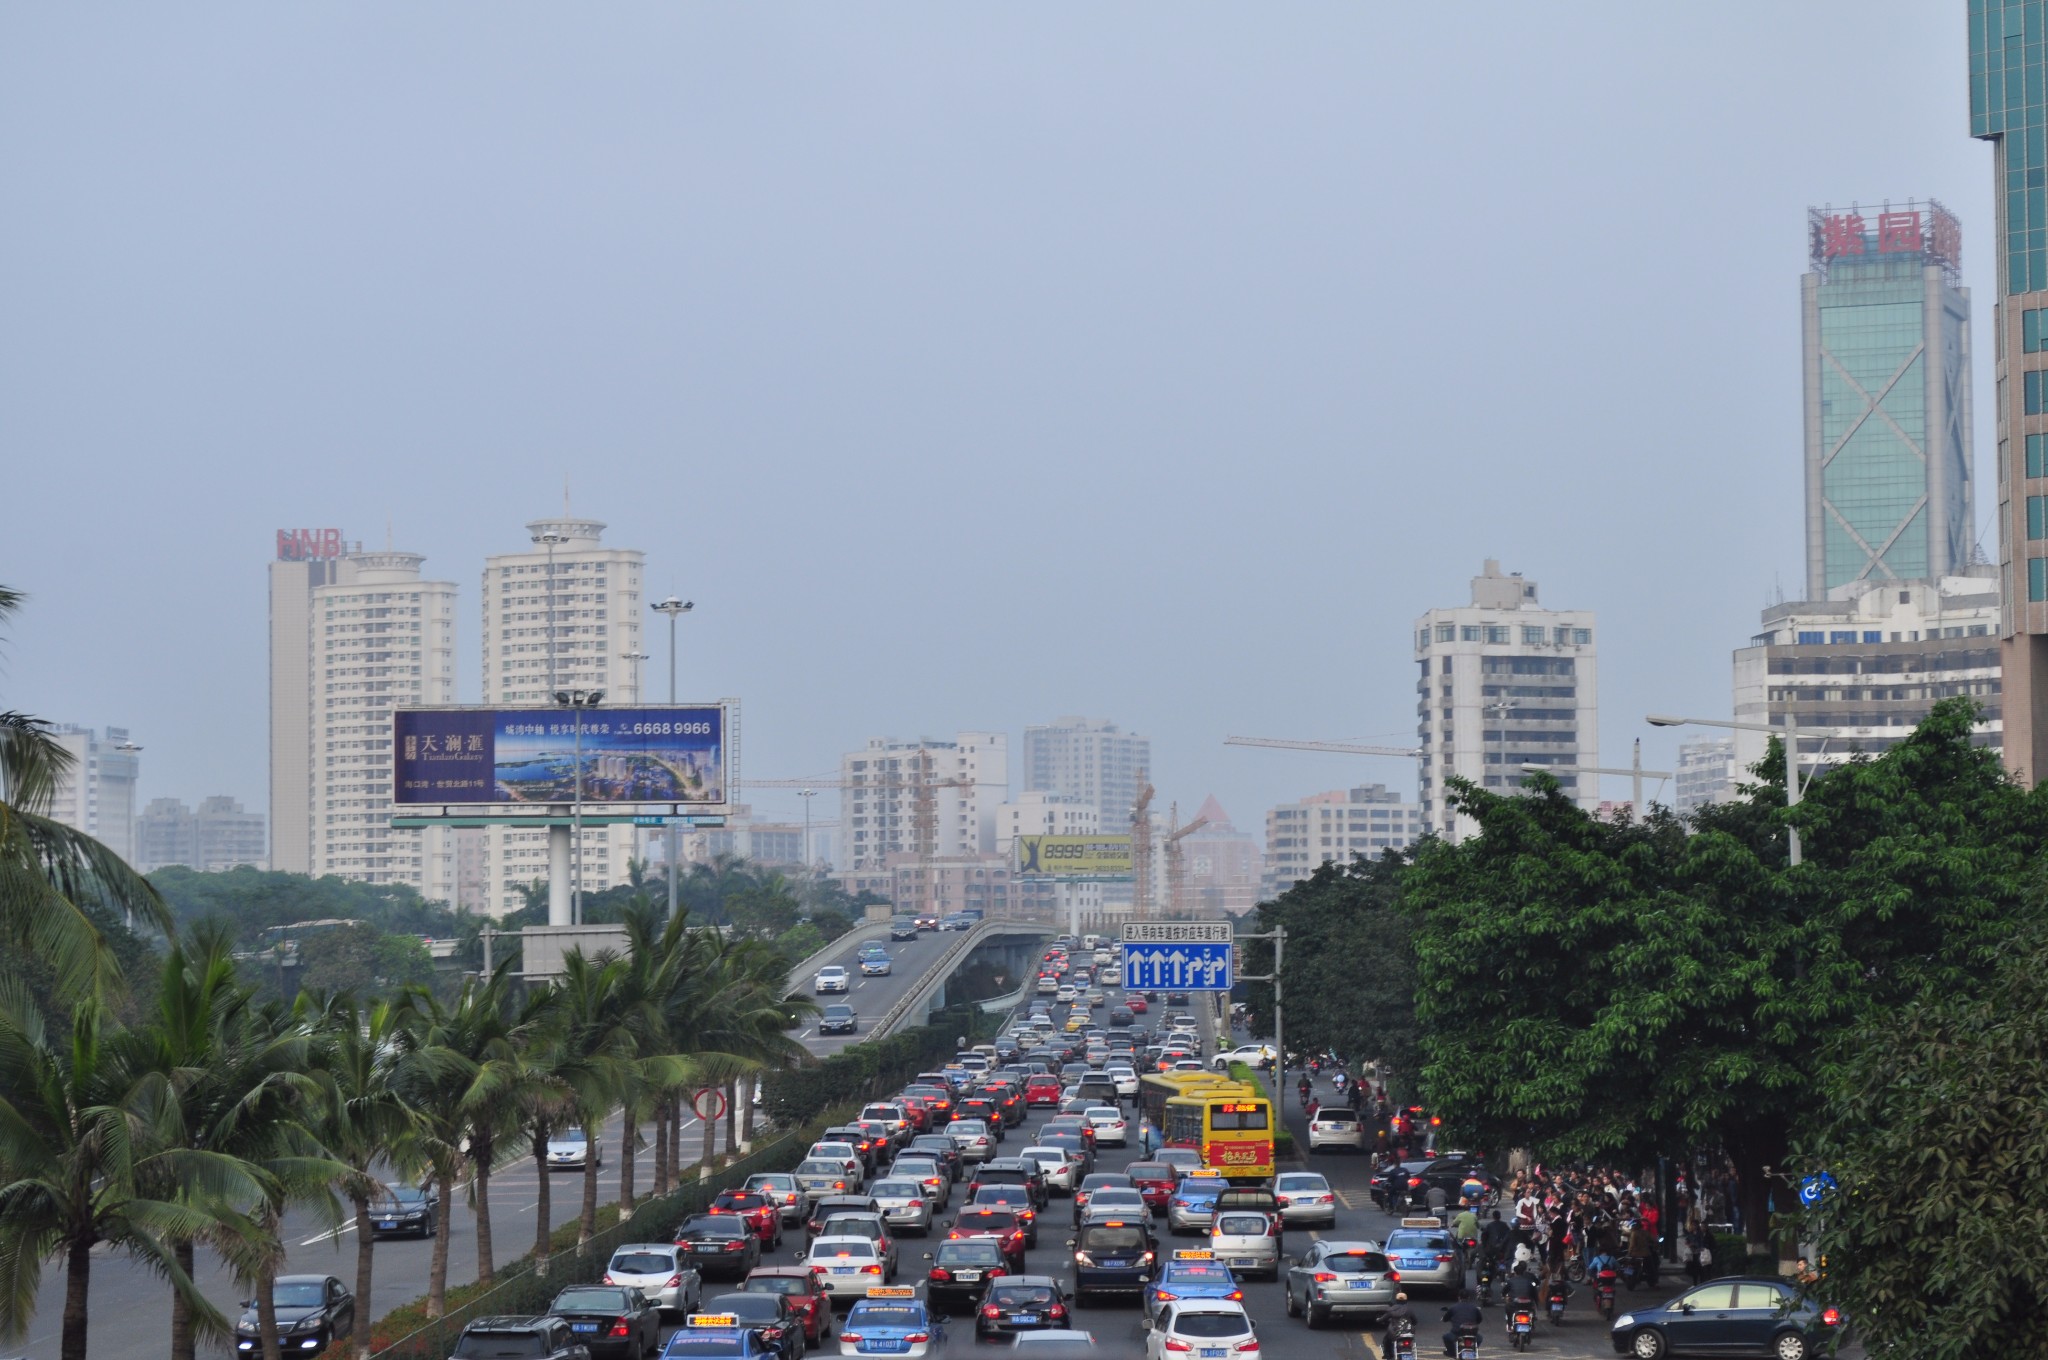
[[1934, 1238]]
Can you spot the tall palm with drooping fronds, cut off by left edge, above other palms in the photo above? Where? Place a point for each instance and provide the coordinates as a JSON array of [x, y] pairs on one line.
[[48, 872]]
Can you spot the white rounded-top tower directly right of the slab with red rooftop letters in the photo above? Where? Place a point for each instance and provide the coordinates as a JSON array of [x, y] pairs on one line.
[[382, 640]]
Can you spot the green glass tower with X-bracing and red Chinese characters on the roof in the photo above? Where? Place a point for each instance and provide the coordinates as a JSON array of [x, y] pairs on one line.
[[1887, 347]]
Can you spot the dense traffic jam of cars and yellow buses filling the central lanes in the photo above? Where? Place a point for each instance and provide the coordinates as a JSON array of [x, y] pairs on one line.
[[1097, 1181]]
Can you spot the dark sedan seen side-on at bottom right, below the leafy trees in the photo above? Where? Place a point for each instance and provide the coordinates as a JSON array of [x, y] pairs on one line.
[[1738, 1316]]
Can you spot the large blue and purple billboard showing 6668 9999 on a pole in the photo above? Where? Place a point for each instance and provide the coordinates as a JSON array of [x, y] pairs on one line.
[[509, 757]]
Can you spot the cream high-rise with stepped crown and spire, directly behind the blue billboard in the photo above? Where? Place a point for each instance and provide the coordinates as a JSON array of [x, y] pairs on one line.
[[562, 613]]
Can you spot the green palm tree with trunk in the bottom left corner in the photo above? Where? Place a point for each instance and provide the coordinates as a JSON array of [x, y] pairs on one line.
[[81, 1156]]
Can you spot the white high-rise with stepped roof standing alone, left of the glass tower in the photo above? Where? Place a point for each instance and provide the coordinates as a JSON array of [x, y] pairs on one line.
[[1504, 683]]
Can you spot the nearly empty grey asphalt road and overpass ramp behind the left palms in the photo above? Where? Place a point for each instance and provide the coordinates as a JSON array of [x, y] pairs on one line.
[[130, 1306]]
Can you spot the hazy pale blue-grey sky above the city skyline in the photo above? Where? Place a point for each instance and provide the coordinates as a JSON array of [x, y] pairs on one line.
[[966, 364]]
